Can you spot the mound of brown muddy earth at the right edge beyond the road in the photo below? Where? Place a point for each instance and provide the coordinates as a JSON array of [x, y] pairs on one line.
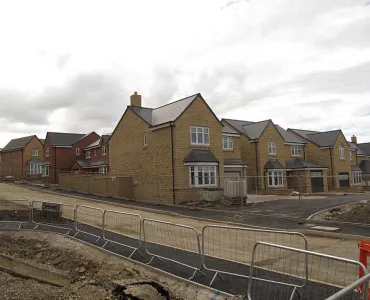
[[355, 213]]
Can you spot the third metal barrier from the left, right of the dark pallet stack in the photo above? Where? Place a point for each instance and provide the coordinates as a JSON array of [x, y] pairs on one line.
[[89, 220]]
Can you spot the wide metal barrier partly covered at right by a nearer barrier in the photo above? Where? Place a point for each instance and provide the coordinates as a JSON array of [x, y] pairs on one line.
[[235, 244]]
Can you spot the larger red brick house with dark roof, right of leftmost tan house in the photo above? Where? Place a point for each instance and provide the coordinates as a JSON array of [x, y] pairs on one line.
[[61, 150]]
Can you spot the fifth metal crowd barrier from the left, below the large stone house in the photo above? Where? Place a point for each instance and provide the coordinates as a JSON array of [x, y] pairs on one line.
[[174, 240]]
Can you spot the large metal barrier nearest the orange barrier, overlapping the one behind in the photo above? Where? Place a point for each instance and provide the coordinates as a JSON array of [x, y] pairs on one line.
[[280, 272]]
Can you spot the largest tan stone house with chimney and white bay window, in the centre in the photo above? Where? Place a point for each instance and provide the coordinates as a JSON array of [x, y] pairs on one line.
[[171, 151]]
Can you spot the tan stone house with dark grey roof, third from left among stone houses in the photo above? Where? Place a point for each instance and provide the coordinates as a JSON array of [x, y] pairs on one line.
[[331, 149]]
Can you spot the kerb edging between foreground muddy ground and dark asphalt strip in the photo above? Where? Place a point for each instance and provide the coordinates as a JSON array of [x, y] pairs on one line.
[[160, 272]]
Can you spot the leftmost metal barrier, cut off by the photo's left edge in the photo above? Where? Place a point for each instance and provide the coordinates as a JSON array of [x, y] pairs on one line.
[[15, 211]]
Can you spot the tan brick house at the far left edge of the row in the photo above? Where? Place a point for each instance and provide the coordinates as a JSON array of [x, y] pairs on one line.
[[22, 157]]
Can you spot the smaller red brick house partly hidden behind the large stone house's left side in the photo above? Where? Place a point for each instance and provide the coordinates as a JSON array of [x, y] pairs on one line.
[[96, 158]]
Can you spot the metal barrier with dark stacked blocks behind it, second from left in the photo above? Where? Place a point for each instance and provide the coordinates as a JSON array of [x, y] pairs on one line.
[[55, 214]]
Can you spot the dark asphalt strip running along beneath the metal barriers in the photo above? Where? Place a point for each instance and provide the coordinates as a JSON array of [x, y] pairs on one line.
[[228, 283]]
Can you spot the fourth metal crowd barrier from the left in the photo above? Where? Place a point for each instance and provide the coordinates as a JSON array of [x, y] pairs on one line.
[[122, 228]]
